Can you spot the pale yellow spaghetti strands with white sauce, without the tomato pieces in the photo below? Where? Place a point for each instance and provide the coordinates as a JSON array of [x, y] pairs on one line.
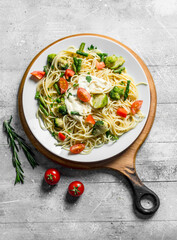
[[97, 82]]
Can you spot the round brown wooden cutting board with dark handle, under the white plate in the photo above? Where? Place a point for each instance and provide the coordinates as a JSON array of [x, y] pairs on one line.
[[124, 162]]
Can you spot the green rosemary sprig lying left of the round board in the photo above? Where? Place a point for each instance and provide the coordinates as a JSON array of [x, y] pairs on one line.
[[12, 136]]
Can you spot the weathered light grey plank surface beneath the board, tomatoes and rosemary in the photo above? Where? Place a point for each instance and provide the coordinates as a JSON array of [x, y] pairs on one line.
[[35, 211]]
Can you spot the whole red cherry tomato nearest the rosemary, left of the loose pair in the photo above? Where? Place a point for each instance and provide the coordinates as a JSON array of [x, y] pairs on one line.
[[52, 176]]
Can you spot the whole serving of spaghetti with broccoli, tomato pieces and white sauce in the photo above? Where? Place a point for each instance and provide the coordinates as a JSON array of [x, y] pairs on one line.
[[86, 98]]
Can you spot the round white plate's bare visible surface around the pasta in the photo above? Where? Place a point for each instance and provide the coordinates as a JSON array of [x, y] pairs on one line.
[[30, 104]]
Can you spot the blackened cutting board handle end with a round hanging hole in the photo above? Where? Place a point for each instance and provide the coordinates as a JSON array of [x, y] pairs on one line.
[[141, 192]]
